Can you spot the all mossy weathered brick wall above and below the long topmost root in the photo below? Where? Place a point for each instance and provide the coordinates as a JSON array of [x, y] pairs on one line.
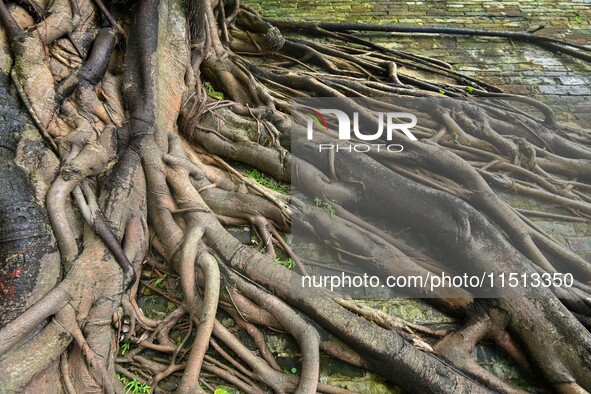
[[516, 67]]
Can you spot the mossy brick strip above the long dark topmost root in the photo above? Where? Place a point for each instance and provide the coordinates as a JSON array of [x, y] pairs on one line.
[[564, 17]]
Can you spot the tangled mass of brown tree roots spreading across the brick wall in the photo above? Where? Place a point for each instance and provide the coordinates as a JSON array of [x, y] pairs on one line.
[[146, 109]]
